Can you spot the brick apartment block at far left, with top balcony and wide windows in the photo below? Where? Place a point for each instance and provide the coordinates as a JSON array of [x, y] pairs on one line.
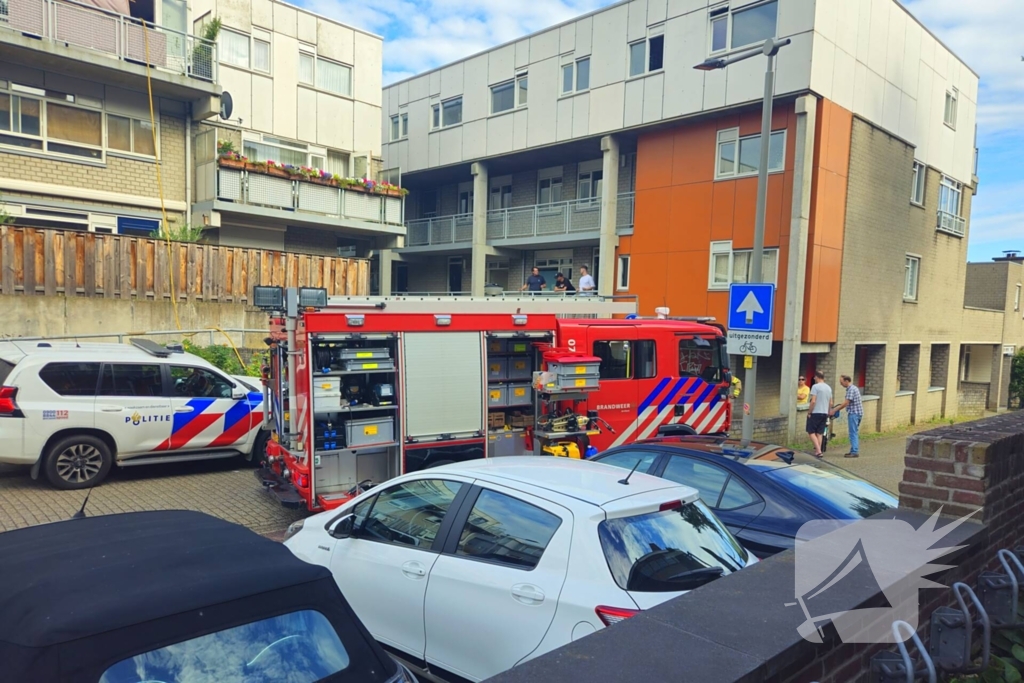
[[79, 133]]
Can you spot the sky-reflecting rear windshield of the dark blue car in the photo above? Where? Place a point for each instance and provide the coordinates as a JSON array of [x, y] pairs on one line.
[[837, 491]]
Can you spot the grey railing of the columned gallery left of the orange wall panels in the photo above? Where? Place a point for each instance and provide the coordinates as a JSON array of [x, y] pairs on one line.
[[540, 221]]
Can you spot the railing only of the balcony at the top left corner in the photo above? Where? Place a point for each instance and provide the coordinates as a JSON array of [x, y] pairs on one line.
[[121, 37]]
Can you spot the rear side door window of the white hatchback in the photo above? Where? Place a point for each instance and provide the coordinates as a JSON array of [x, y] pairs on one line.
[[507, 531]]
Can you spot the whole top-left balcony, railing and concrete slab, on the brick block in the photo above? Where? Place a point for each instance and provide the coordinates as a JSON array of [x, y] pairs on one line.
[[69, 36]]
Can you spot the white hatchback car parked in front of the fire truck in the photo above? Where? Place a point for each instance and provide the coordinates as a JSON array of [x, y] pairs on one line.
[[475, 568]]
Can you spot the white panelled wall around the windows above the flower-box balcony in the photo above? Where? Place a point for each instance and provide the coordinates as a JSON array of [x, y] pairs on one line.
[[275, 104]]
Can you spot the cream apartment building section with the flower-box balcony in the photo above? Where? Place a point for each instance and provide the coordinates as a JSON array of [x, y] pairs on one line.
[[306, 93]]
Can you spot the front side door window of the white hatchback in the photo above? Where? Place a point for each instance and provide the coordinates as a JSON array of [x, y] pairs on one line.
[[410, 515]]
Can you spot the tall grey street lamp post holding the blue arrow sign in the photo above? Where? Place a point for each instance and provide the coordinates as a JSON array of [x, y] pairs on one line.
[[770, 50]]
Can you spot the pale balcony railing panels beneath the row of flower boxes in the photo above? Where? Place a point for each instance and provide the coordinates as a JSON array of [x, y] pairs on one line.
[[287, 195]]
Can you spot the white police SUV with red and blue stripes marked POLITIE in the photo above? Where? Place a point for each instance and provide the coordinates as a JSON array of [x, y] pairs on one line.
[[72, 411]]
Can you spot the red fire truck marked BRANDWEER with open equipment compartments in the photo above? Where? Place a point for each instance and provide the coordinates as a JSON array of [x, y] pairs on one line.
[[360, 391]]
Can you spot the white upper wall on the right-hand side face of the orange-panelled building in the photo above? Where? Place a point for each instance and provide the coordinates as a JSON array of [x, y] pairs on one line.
[[873, 58]]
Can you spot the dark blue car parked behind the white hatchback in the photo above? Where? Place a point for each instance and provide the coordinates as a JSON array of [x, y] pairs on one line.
[[763, 493]]
